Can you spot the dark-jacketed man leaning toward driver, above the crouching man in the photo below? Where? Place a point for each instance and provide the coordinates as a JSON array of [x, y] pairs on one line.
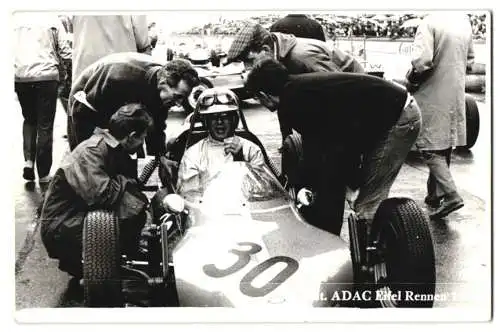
[[124, 78]]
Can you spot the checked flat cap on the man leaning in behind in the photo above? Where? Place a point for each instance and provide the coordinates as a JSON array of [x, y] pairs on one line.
[[252, 35]]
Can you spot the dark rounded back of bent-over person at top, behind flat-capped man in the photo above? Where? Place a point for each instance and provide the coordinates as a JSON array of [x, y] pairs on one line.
[[299, 25]]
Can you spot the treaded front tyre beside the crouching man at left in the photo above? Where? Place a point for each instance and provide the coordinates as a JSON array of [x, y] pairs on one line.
[[102, 282]]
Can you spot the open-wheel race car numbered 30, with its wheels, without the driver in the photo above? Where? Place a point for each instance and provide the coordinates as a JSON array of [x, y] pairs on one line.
[[243, 242]]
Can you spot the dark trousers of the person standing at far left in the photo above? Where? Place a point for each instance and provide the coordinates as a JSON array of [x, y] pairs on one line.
[[38, 103]]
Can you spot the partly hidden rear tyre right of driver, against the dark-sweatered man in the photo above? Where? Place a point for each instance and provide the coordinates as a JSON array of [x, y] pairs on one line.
[[292, 159]]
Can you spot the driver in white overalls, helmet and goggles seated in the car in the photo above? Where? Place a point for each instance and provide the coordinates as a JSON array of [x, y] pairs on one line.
[[218, 109]]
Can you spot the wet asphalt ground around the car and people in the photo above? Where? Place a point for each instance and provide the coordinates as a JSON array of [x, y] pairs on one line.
[[463, 240]]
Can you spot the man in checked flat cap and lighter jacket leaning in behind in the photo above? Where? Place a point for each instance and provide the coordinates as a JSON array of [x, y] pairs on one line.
[[299, 55]]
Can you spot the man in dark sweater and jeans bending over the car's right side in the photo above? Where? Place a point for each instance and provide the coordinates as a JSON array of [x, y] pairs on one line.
[[340, 117]]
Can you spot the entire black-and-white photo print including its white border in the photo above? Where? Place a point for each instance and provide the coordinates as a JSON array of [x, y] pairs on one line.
[[330, 163]]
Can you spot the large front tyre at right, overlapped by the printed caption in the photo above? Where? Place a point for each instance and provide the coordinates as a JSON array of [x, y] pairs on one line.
[[405, 264]]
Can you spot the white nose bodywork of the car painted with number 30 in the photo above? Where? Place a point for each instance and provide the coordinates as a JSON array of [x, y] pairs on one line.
[[247, 245]]
